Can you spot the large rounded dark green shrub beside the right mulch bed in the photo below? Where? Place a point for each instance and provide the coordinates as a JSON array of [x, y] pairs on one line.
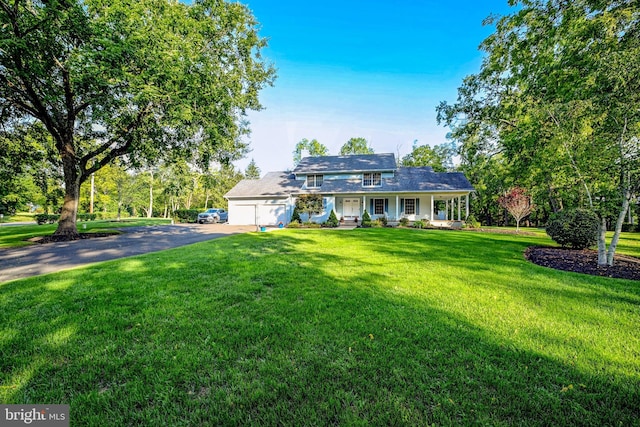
[[576, 228]]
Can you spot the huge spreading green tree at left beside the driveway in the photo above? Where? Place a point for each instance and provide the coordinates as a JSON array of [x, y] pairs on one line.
[[130, 79]]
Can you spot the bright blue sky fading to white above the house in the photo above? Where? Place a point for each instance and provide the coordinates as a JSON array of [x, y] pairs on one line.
[[373, 69]]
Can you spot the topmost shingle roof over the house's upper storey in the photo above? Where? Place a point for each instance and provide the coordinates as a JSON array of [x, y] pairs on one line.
[[352, 163]]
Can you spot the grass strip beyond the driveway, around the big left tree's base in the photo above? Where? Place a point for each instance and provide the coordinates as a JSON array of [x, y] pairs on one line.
[[18, 235]]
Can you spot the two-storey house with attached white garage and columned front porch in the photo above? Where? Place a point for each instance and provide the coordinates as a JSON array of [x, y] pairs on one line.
[[350, 185]]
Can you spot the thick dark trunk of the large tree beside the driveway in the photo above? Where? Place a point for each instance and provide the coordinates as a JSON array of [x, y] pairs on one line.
[[67, 229]]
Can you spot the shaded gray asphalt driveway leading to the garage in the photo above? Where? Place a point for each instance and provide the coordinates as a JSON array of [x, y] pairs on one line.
[[17, 263]]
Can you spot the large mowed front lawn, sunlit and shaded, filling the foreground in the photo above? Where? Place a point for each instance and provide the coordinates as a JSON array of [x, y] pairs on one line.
[[323, 327]]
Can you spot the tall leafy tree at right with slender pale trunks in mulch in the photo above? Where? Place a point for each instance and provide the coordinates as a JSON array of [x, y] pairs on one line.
[[559, 93]]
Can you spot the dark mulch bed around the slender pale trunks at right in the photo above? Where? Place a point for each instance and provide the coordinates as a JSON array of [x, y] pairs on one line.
[[583, 261]]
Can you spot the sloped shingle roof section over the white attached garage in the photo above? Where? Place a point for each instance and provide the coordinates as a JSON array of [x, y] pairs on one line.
[[272, 184]]
